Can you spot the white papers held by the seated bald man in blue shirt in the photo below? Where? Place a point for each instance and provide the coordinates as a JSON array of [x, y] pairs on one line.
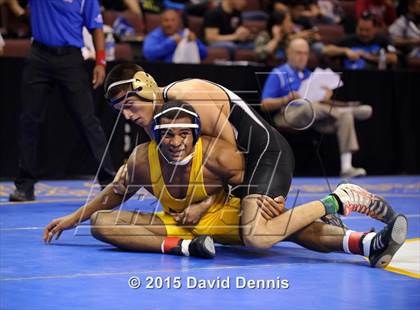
[[313, 87]]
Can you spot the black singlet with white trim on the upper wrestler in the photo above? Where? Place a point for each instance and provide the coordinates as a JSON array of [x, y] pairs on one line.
[[269, 160]]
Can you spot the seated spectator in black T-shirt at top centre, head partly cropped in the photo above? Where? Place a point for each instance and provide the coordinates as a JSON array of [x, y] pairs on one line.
[[223, 26]]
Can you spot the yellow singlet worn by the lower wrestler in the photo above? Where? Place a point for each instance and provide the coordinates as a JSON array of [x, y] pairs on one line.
[[221, 220]]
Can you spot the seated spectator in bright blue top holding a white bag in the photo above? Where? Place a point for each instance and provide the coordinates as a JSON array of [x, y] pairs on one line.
[[161, 43]]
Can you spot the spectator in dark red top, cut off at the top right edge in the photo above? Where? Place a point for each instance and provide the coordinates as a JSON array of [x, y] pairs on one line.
[[383, 11]]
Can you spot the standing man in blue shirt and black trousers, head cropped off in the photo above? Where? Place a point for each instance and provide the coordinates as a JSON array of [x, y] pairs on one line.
[[55, 58]]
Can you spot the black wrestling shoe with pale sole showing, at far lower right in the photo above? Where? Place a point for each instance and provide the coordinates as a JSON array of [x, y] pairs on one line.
[[387, 242]]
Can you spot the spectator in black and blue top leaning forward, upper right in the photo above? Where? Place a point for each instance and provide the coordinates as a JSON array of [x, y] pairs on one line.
[[363, 49]]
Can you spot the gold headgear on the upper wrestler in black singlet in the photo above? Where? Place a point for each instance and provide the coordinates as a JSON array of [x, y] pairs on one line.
[[143, 85]]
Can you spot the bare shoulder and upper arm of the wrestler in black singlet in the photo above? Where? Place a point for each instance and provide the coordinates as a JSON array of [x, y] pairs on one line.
[[211, 104]]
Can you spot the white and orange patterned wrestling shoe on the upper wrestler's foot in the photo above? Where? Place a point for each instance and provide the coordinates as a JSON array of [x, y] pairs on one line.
[[354, 198]]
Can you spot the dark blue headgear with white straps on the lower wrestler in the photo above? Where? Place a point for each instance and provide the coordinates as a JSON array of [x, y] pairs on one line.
[[195, 125]]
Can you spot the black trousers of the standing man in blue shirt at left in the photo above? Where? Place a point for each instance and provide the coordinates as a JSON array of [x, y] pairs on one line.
[[43, 69]]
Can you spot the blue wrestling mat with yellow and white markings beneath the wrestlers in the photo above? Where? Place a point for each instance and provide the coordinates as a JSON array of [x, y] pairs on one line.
[[78, 272]]
